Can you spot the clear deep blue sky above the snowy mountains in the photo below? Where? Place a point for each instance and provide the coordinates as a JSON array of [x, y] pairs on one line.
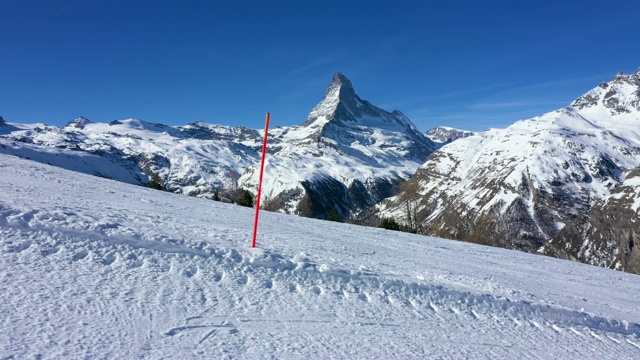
[[466, 64]]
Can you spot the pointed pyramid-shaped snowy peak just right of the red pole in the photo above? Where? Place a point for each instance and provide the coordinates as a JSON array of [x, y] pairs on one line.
[[348, 155]]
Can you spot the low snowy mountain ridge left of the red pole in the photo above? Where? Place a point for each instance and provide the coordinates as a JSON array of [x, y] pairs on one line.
[[188, 162]]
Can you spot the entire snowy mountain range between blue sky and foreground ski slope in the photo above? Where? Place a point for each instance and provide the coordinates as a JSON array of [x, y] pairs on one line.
[[563, 184]]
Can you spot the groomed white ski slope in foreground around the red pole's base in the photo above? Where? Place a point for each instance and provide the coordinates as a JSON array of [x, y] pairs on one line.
[[93, 268]]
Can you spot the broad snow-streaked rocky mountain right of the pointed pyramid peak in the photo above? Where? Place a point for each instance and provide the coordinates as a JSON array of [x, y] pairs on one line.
[[518, 187]]
